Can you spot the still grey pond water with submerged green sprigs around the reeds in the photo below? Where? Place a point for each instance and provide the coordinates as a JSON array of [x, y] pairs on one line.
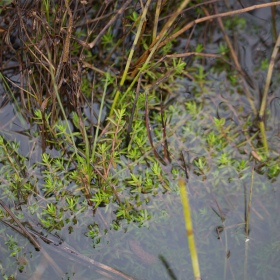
[[226, 181]]
